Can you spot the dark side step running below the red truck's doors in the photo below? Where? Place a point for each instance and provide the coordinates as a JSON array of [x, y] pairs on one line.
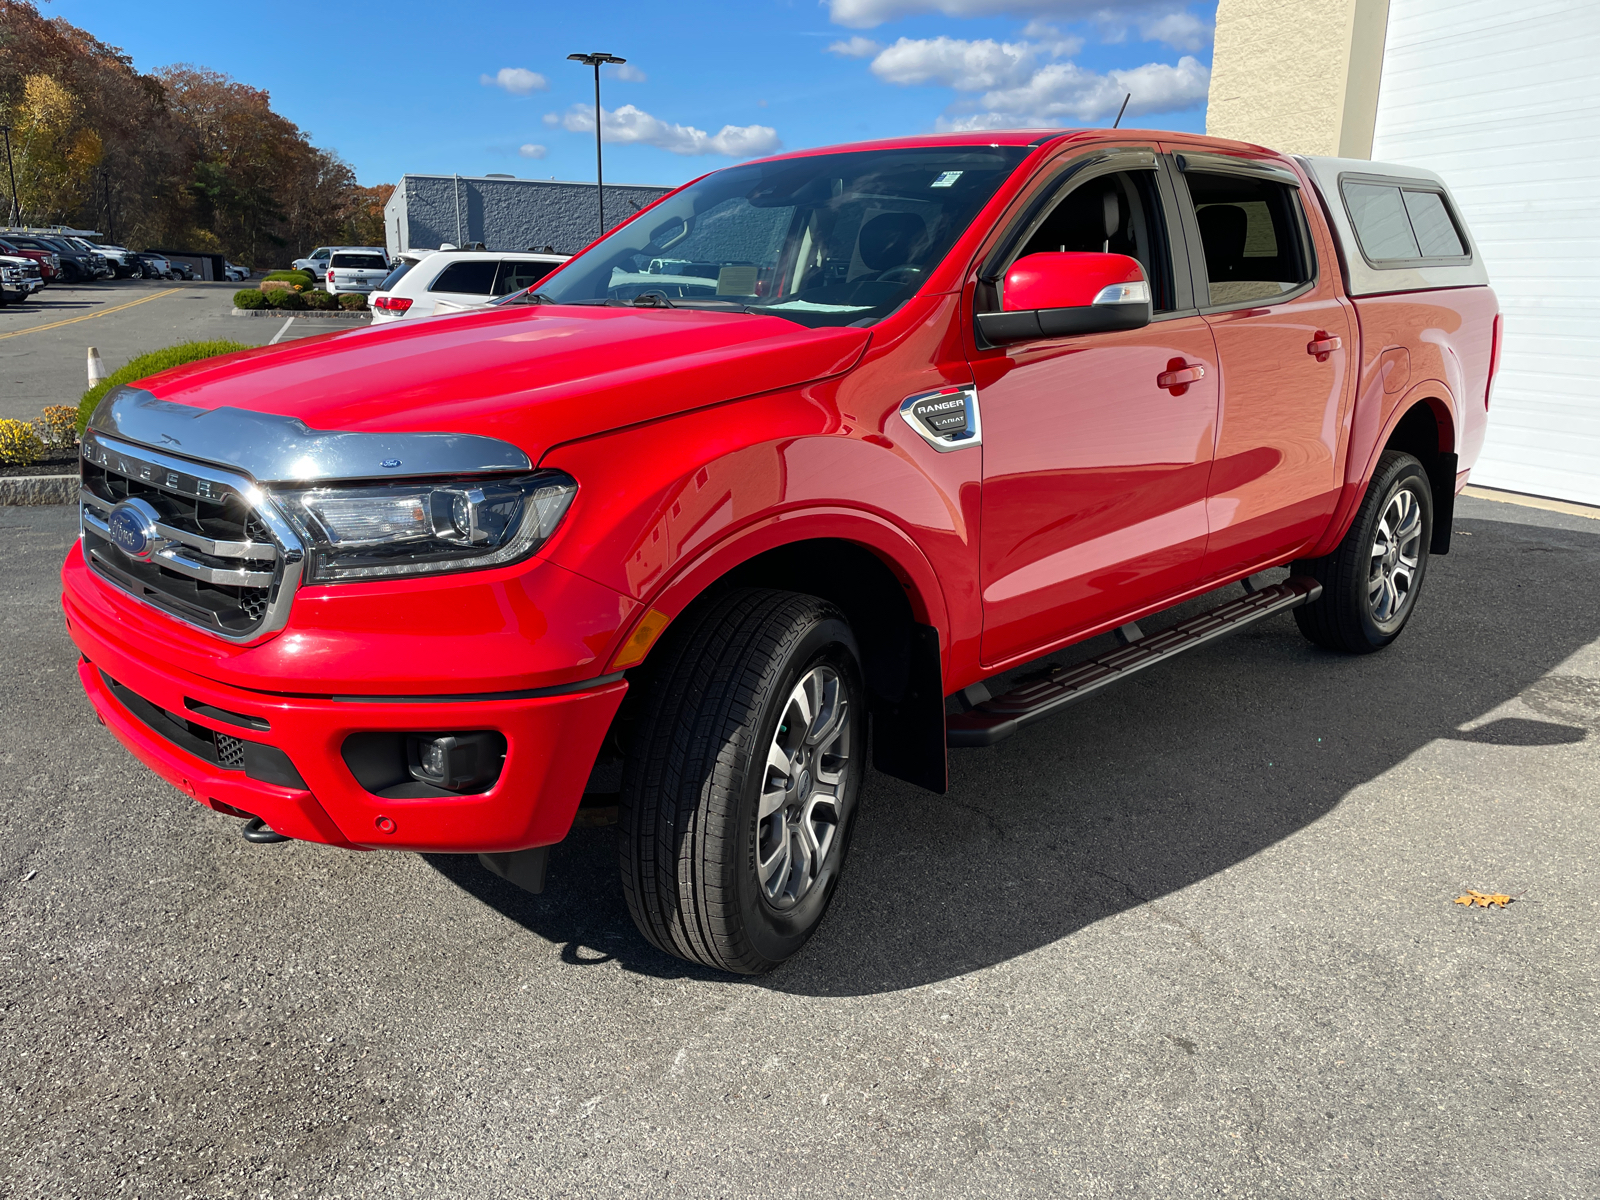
[[998, 719]]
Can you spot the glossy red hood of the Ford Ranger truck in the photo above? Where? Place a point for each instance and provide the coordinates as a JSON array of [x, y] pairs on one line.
[[532, 377]]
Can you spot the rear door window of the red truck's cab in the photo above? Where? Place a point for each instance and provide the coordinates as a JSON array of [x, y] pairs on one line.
[[1252, 234]]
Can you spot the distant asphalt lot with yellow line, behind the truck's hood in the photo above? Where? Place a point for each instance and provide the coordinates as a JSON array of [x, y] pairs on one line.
[[44, 342]]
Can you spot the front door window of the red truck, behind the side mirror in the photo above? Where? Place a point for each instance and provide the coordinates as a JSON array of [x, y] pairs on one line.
[[1118, 214]]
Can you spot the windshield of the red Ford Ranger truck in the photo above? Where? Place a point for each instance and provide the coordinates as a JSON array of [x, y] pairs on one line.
[[834, 239]]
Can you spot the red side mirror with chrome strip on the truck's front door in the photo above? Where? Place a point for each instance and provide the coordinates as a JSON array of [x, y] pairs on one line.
[[1071, 294]]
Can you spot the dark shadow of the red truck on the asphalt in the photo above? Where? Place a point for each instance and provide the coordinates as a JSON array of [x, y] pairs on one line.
[[1164, 782]]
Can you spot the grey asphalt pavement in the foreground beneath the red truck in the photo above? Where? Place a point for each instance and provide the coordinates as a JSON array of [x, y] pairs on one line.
[[1194, 938]]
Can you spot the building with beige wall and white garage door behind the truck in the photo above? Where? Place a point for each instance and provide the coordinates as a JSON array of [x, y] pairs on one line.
[[1505, 103]]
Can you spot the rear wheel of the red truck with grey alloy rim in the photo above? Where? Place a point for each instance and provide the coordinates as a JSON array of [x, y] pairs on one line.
[[1372, 582]]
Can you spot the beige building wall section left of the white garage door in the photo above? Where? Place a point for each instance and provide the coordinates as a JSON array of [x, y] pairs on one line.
[[1298, 76]]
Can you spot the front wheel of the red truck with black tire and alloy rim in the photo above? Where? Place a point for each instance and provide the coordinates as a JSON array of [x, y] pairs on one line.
[[742, 780]]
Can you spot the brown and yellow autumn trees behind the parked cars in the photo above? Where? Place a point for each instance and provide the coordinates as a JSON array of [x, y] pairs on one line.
[[183, 158]]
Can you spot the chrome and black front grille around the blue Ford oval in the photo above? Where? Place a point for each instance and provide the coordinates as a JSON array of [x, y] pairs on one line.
[[217, 556]]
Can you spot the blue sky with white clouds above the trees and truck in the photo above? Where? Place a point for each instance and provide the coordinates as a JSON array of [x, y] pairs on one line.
[[478, 87]]
